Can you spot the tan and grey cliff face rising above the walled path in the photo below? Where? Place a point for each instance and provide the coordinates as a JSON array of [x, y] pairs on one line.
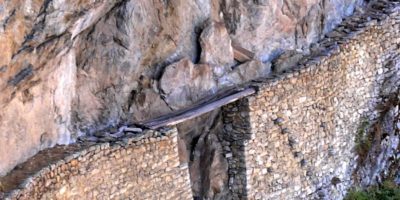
[[73, 67]]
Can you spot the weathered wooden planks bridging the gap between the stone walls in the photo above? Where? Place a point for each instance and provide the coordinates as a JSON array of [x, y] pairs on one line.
[[196, 111]]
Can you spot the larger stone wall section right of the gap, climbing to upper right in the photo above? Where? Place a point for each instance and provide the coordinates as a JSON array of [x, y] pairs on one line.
[[295, 138]]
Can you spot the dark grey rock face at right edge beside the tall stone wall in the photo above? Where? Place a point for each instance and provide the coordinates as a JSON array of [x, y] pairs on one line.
[[380, 162]]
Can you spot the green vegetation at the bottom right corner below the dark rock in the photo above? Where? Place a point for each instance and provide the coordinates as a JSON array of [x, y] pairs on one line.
[[387, 191]]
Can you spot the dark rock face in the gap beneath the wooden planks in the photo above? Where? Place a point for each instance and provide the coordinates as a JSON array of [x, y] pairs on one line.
[[207, 165]]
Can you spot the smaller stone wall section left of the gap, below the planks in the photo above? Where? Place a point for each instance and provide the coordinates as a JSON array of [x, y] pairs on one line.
[[133, 168]]
